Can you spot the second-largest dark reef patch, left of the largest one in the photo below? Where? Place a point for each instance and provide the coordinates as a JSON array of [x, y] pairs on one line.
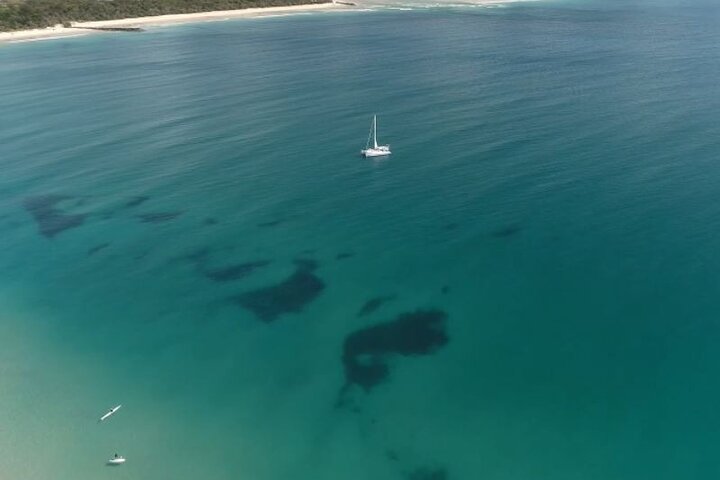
[[289, 296]]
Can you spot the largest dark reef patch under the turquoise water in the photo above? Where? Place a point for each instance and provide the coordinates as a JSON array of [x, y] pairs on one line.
[[366, 351]]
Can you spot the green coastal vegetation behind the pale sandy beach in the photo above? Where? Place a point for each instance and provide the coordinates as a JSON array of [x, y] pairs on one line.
[[27, 14]]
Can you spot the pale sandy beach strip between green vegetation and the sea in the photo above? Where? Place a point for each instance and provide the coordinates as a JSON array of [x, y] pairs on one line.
[[80, 29]]
